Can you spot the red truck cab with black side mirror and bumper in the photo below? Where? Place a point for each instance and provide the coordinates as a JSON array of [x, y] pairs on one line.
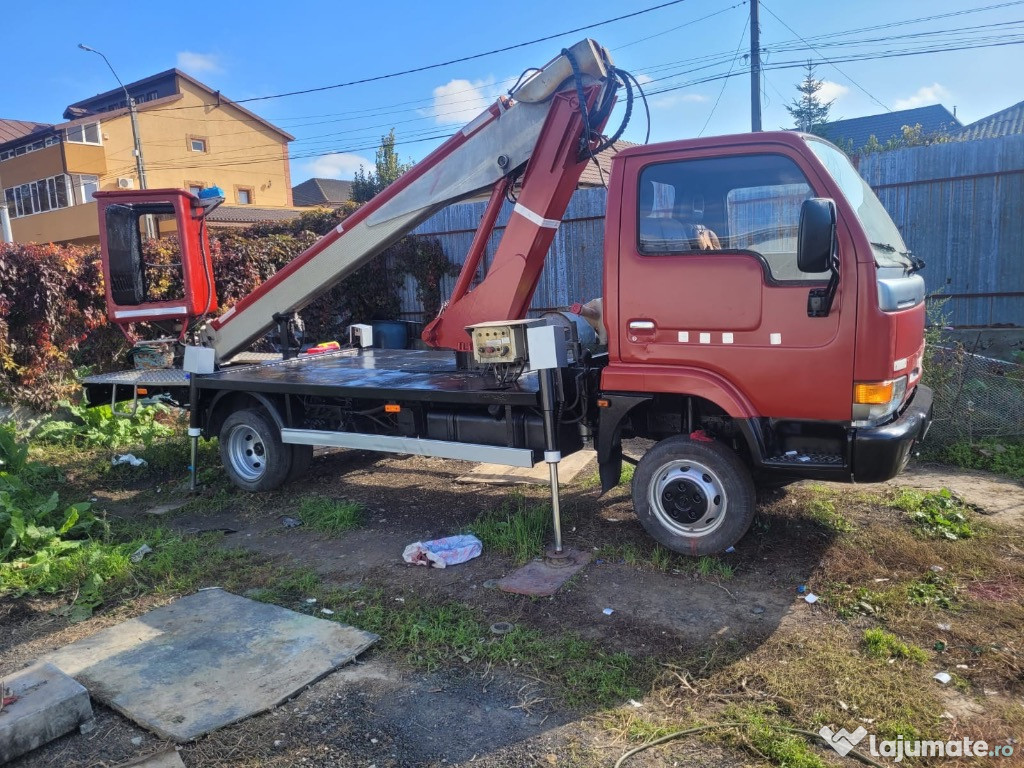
[[757, 293]]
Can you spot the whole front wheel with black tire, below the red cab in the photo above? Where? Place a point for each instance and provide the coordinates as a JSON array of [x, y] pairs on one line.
[[693, 497]]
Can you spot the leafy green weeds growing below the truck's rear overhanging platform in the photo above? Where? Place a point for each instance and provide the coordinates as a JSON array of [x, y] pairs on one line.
[[99, 428]]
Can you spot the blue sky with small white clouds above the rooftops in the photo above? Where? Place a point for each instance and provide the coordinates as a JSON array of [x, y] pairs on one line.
[[260, 49]]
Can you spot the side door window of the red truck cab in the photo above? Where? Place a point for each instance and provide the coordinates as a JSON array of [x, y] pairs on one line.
[[746, 204]]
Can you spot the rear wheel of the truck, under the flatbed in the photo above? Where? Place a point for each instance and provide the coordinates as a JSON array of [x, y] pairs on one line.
[[252, 453]]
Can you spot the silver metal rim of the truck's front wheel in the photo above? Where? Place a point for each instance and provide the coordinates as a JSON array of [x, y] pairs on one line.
[[688, 498]]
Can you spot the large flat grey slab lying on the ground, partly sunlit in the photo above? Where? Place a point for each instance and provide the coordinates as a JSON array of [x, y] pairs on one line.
[[208, 661]]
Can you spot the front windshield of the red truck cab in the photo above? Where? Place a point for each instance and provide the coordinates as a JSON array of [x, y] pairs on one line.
[[887, 244]]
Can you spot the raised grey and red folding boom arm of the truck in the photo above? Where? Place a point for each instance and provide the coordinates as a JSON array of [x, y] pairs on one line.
[[540, 129]]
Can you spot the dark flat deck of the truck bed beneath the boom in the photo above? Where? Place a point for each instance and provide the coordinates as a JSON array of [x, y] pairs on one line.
[[428, 376]]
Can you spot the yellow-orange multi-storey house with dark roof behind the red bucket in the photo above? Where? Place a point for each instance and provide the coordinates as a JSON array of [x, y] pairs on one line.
[[192, 137]]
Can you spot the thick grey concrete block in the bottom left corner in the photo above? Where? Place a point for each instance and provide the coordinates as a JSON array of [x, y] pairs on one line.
[[50, 705]]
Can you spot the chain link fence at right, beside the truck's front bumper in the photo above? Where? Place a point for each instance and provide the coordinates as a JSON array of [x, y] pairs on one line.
[[975, 397]]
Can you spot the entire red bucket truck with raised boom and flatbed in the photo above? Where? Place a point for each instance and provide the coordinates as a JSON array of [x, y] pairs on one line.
[[762, 320]]
